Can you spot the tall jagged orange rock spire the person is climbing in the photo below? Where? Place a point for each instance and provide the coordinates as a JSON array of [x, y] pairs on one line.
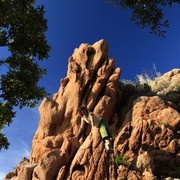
[[92, 80]]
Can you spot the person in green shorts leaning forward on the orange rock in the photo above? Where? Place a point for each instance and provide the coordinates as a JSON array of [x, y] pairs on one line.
[[100, 123]]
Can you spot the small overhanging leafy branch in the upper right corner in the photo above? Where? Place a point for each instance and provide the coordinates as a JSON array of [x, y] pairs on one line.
[[148, 13]]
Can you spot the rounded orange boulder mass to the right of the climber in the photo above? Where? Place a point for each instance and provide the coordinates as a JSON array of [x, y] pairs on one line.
[[151, 125]]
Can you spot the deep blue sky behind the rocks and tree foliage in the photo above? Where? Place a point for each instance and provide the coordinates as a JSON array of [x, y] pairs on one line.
[[74, 22]]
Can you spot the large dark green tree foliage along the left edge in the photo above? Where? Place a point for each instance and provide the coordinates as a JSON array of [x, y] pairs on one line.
[[22, 31]]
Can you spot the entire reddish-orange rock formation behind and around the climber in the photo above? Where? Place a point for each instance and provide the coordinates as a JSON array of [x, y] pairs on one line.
[[145, 129]]
